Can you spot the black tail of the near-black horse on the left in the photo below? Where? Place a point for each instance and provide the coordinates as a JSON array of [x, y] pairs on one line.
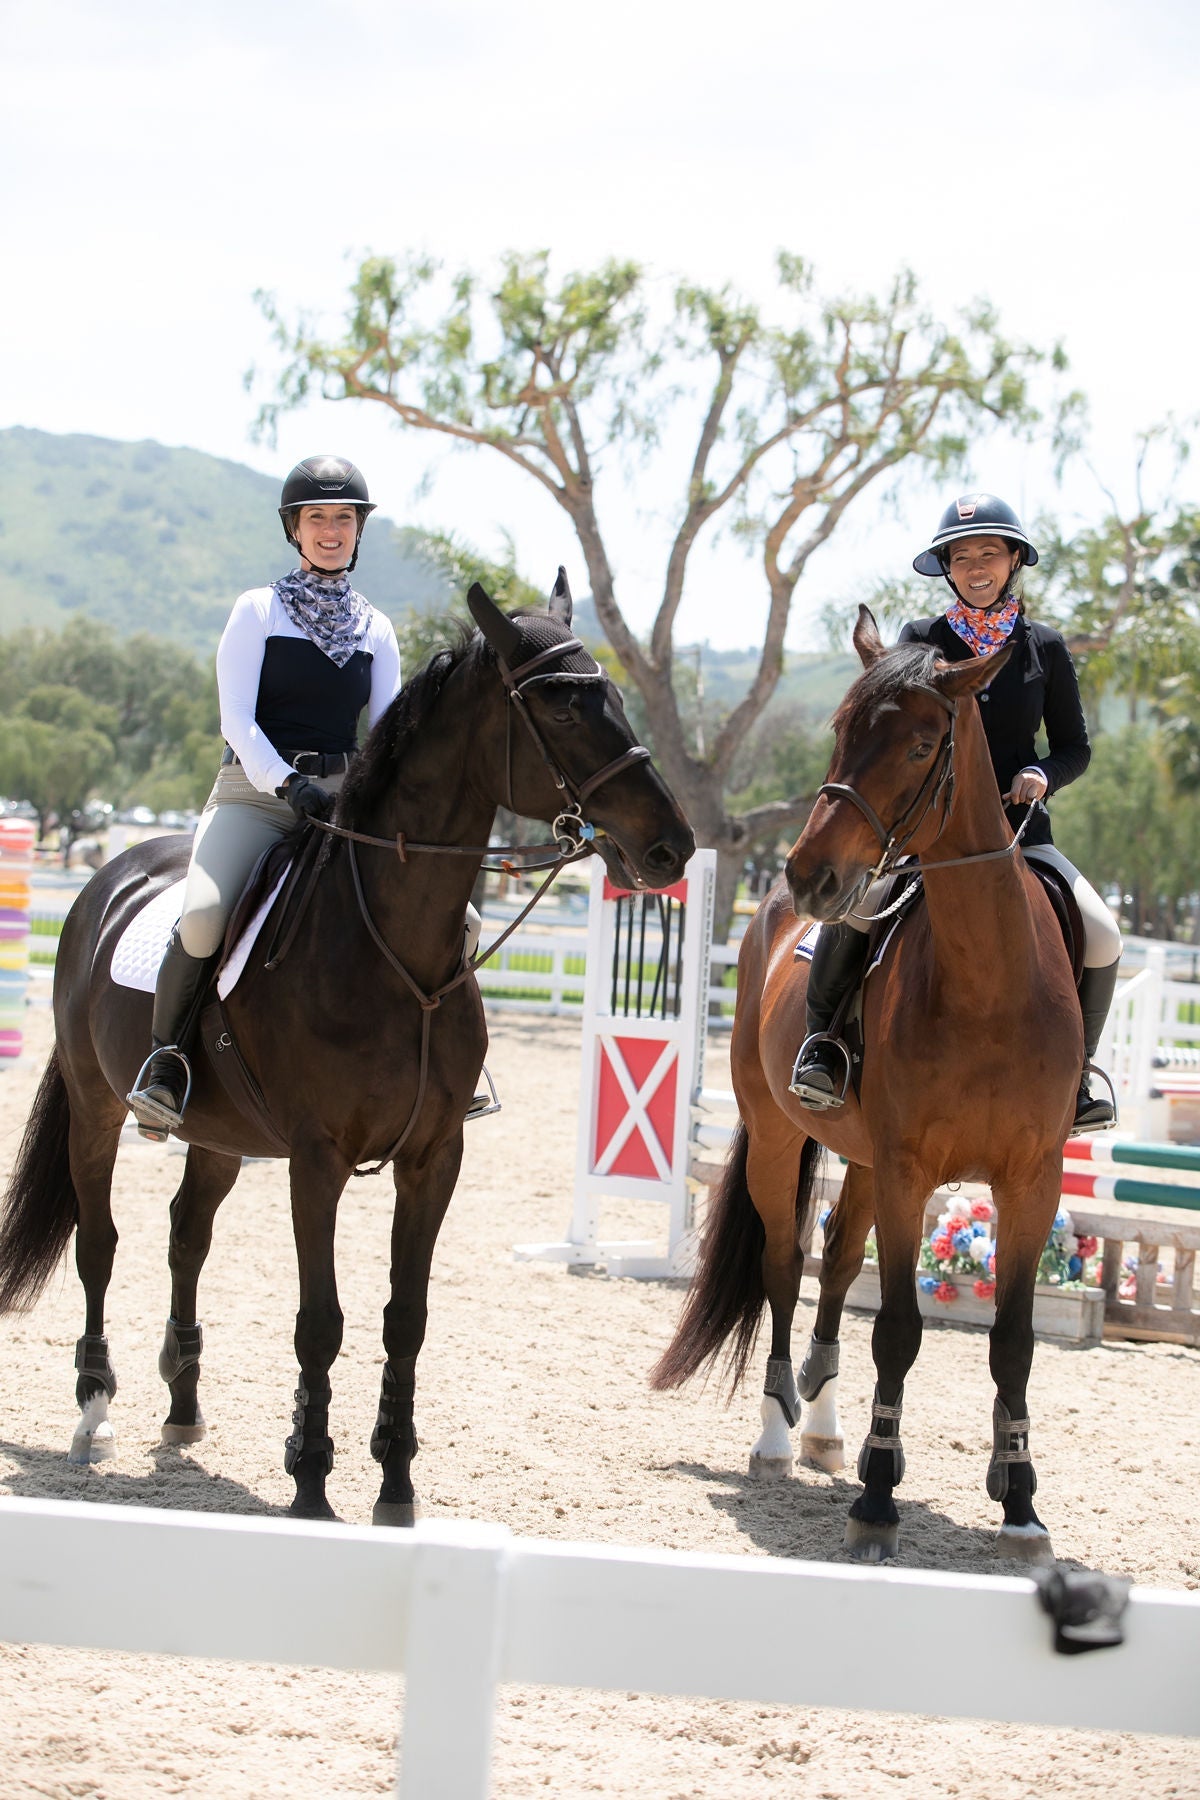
[[40, 1209]]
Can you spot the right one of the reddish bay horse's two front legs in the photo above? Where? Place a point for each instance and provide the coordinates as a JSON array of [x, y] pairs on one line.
[[1026, 1216]]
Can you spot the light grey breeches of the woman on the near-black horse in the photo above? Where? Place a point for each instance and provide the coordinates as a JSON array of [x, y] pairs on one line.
[[237, 825]]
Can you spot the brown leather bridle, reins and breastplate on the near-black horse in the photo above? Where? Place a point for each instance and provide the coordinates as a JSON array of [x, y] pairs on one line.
[[573, 836]]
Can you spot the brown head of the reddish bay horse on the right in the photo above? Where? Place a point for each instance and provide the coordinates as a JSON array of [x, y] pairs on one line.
[[891, 782]]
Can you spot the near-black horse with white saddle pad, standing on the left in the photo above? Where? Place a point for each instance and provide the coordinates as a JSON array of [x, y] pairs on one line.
[[519, 714]]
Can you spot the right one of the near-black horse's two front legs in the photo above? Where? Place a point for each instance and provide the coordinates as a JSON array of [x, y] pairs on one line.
[[422, 1200]]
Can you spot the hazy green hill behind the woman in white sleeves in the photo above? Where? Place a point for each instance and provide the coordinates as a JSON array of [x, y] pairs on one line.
[[161, 541]]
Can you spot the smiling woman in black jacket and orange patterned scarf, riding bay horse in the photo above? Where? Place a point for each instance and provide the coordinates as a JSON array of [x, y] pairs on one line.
[[980, 548]]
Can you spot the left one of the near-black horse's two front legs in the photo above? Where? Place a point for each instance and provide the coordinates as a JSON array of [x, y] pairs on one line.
[[319, 1174]]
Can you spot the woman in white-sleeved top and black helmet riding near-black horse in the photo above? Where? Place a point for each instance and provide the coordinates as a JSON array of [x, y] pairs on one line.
[[296, 667]]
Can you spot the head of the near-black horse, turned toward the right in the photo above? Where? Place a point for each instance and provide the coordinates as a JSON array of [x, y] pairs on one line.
[[569, 751]]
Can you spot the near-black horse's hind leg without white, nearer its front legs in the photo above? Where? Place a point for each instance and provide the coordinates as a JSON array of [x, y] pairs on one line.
[[208, 1178]]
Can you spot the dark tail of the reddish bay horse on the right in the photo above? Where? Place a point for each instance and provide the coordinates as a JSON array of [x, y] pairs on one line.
[[728, 1293]]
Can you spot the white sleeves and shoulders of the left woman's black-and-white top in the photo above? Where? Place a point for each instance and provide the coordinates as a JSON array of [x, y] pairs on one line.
[[256, 618]]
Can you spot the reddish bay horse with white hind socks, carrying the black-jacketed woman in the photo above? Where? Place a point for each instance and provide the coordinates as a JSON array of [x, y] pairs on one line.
[[972, 1059]]
